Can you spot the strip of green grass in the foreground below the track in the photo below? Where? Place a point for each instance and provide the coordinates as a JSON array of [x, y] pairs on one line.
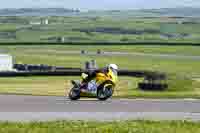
[[101, 127]]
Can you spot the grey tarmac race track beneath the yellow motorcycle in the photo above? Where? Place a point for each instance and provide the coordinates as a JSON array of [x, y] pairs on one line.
[[43, 108]]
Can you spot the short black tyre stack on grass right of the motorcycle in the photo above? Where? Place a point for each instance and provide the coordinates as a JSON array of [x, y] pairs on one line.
[[152, 86]]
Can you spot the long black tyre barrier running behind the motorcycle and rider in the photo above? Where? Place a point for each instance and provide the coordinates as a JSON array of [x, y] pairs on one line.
[[39, 70]]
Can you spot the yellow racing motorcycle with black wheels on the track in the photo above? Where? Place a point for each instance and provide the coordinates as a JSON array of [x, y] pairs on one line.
[[101, 87]]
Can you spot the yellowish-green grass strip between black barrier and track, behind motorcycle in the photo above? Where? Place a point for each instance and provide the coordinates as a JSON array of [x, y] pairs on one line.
[[126, 87]]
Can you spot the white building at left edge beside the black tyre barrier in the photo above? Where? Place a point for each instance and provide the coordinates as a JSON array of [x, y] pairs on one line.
[[6, 62]]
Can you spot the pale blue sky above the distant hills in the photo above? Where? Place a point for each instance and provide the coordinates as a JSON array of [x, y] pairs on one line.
[[99, 4]]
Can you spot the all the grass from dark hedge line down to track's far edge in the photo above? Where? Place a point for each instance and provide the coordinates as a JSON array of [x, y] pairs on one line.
[[180, 72]]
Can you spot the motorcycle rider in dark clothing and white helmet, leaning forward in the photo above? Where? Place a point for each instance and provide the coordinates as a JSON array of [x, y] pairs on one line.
[[105, 70]]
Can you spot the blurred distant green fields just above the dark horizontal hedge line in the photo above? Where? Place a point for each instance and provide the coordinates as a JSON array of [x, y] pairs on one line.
[[99, 29]]
